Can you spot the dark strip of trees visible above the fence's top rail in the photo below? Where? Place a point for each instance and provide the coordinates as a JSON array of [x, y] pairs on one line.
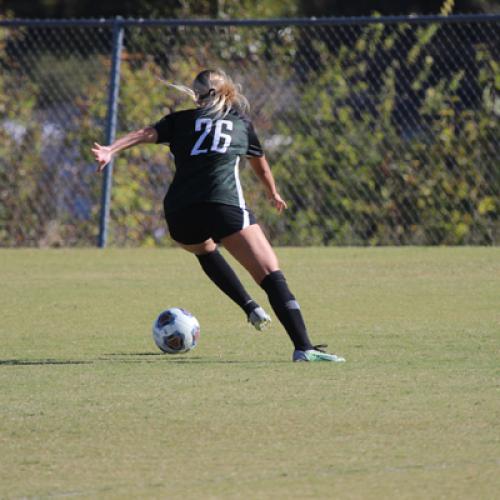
[[230, 8]]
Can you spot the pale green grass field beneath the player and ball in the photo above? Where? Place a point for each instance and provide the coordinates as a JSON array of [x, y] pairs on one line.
[[88, 408]]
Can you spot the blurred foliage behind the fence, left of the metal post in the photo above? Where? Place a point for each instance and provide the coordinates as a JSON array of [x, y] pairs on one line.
[[42, 177]]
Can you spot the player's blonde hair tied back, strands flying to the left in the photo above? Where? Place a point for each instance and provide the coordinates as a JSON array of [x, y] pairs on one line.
[[216, 92]]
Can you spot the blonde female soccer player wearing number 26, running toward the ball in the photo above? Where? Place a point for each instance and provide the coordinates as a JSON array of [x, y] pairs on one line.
[[205, 204]]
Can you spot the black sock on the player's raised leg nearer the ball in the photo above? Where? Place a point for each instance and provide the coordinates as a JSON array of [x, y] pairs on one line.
[[222, 274]]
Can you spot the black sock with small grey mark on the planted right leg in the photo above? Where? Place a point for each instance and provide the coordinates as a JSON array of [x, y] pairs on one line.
[[286, 309]]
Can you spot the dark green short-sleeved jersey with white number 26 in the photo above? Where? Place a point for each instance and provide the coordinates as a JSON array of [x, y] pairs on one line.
[[207, 153]]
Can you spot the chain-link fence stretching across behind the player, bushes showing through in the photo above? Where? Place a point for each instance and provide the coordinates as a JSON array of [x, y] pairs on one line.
[[378, 131]]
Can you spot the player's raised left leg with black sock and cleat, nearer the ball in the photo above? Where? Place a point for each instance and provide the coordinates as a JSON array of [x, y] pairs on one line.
[[221, 273]]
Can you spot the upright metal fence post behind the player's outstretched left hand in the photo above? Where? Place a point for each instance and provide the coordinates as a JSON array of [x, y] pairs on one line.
[[114, 89]]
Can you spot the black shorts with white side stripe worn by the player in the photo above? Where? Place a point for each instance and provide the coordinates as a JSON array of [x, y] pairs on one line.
[[198, 223]]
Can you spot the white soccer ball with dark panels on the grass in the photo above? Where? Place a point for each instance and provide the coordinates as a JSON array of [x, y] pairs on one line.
[[176, 331]]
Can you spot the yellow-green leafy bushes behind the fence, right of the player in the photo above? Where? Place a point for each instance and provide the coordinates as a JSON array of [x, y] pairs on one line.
[[374, 184]]
